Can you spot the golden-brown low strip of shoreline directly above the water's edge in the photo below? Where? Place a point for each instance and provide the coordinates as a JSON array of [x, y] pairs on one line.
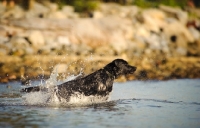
[[33, 67]]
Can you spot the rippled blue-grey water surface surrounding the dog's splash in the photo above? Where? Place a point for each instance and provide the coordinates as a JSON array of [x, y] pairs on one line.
[[173, 103]]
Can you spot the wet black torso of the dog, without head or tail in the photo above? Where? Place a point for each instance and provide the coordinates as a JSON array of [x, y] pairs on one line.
[[98, 83]]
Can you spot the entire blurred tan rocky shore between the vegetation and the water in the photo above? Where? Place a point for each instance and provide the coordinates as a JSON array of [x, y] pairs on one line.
[[163, 42]]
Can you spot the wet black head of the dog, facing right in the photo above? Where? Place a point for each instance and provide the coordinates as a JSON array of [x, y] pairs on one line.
[[120, 67]]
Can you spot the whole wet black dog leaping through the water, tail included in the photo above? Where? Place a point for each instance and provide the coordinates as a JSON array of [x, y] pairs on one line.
[[99, 83]]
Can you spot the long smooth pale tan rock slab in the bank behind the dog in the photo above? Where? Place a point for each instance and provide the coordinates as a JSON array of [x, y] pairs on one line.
[[99, 32]]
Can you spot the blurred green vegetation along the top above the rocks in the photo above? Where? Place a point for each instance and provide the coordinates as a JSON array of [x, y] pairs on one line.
[[90, 5]]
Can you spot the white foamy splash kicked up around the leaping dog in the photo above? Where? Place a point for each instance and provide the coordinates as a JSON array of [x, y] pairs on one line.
[[49, 97]]
